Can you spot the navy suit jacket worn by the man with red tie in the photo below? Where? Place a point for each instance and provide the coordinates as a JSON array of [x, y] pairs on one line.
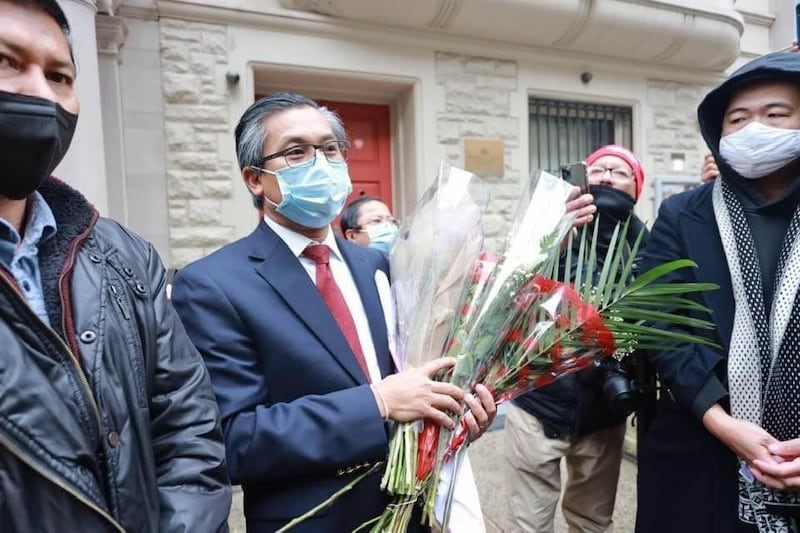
[[298, 416]]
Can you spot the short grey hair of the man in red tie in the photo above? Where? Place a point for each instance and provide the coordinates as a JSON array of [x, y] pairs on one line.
[[250, 134]]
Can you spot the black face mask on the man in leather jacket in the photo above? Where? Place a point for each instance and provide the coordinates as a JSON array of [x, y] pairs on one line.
[[34, 136]]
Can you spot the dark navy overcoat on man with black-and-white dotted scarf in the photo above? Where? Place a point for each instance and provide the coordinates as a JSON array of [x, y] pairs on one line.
[[687, 477]]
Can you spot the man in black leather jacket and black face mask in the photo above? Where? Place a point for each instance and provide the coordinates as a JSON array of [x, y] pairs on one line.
[[107, 417]]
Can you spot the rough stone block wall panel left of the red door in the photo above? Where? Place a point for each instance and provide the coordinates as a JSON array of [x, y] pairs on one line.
[[193, 56]]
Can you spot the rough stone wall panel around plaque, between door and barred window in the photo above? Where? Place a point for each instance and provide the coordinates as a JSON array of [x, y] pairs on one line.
[[477, 106]]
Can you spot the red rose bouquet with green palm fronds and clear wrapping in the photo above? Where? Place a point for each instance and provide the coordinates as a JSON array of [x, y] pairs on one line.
[[522, 324]]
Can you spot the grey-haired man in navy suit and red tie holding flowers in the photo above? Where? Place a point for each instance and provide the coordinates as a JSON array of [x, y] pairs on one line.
[[303, 373]]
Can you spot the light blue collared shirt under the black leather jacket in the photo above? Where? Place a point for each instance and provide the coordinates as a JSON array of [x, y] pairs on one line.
[[21, 255]]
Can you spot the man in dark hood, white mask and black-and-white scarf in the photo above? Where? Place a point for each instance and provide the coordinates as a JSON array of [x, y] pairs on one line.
[[721, 454]]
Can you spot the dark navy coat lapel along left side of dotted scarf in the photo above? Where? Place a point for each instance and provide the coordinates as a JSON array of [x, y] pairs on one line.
[[704, 247]]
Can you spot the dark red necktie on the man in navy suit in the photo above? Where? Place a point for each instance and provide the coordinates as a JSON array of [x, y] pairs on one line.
[[334, 299]]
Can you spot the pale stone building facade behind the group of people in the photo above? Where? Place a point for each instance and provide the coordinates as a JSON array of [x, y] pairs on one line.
[[449, 70]]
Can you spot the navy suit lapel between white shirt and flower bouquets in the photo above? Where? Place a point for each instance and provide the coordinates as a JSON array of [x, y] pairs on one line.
[[364, 277]]
